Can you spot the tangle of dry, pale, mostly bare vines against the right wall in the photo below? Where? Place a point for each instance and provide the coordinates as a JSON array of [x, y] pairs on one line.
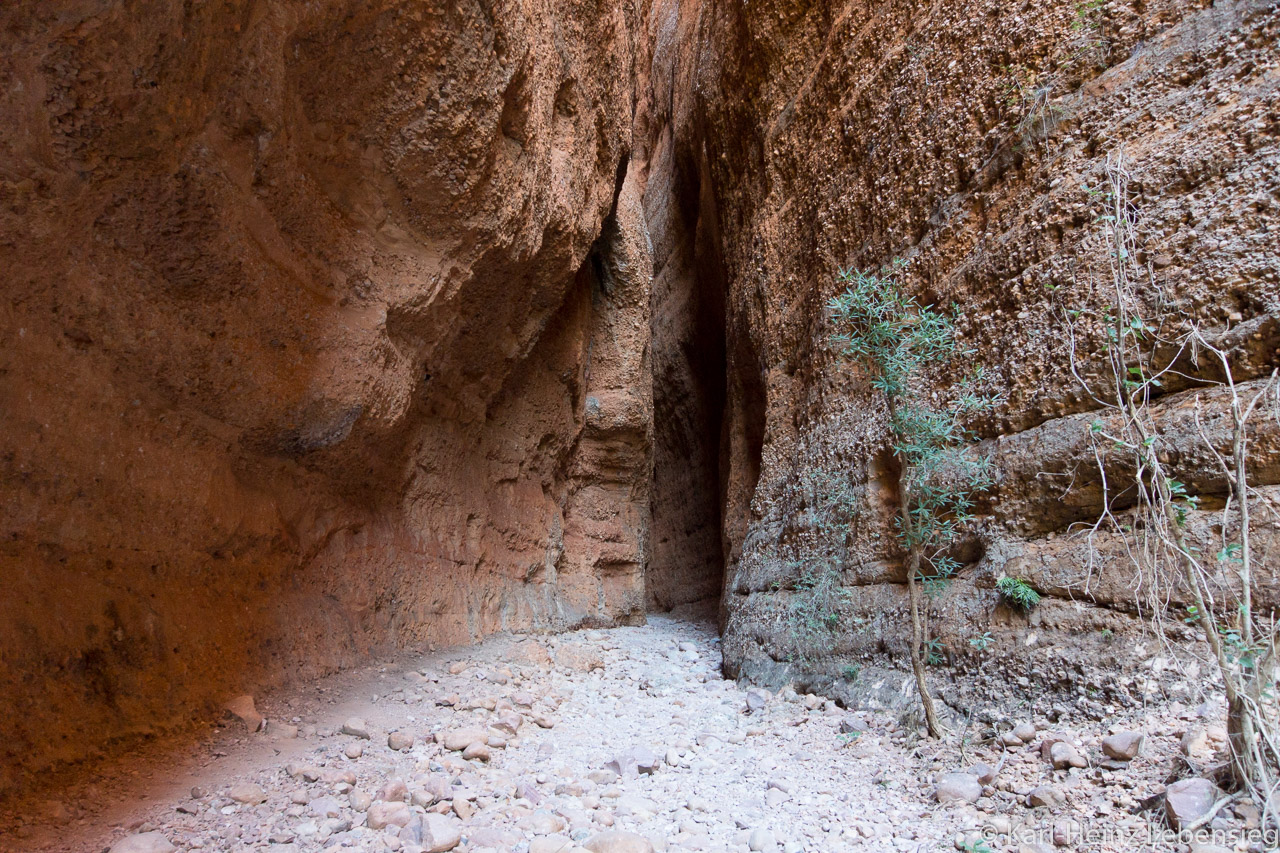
[[1149, 508]]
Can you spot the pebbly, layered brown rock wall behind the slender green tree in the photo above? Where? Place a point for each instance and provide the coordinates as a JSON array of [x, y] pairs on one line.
[[968, 142]]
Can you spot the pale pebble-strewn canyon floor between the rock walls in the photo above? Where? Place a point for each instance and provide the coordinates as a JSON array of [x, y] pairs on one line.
[[621, 741]]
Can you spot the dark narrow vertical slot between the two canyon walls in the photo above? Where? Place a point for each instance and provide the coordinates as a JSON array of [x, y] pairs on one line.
[[691, 399]]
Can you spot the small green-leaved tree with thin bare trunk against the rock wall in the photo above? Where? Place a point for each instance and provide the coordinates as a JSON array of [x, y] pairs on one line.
[[897, 341]]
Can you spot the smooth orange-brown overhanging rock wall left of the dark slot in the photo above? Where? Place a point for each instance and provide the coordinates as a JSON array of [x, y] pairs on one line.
[[326, 331]]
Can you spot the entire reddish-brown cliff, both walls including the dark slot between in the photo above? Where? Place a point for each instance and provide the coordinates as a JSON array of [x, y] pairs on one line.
[[337, 326]]
